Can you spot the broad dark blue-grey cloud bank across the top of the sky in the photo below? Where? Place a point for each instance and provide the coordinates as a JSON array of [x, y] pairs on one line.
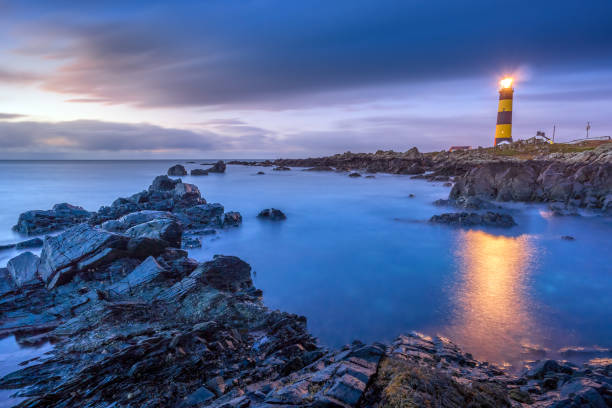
[[221, 53]]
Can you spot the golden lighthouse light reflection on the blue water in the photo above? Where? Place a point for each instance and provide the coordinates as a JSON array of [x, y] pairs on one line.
[[493, 305]]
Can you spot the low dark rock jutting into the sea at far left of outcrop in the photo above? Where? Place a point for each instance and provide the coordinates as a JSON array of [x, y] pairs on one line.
[[61, 216]]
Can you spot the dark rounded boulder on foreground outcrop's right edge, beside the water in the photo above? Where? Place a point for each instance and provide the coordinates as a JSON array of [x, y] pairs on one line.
[[227, 273]]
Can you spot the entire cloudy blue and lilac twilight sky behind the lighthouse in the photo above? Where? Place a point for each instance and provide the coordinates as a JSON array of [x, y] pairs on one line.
[[278, 78]]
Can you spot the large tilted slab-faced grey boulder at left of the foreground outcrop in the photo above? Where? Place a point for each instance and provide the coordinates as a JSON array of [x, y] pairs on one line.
[[61, 254]]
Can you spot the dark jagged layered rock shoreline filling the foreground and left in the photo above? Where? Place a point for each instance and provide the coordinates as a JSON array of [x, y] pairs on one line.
[[137, 322]]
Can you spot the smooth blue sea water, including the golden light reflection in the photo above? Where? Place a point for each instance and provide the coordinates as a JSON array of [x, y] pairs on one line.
[[359, 260]]
